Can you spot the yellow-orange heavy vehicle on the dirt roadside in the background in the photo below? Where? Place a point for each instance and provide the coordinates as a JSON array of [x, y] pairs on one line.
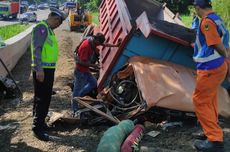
[[79, 22]]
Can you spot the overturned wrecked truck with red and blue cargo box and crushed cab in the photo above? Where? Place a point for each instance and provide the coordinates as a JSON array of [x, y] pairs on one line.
[[153, 67]]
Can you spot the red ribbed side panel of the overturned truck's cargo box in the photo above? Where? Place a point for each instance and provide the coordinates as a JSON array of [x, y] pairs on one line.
[[115, 24]]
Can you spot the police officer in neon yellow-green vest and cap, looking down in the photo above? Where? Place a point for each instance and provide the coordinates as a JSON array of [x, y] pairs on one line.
[[44, 51]]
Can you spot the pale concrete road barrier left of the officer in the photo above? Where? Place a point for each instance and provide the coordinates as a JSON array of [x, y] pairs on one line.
[[14, 49]]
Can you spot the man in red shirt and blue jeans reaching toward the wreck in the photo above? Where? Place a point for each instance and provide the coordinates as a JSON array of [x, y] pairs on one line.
[[86, 55]]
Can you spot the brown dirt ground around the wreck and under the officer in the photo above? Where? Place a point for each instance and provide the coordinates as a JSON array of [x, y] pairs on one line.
[[18, 135]]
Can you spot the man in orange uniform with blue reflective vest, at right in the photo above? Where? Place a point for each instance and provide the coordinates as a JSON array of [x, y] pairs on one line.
[[210, 53]]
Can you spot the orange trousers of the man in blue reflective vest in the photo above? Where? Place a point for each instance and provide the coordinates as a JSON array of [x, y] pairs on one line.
[[206, 102]]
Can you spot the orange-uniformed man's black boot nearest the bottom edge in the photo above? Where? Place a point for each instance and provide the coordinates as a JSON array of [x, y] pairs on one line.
[[209, 146]]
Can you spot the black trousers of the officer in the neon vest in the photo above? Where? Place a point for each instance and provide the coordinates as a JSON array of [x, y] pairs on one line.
[[42, 98]]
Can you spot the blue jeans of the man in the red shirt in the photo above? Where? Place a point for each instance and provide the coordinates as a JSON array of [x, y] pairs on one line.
[[84, 82]]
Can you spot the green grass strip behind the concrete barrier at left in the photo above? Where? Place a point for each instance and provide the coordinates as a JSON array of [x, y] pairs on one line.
[[9, 31]]
